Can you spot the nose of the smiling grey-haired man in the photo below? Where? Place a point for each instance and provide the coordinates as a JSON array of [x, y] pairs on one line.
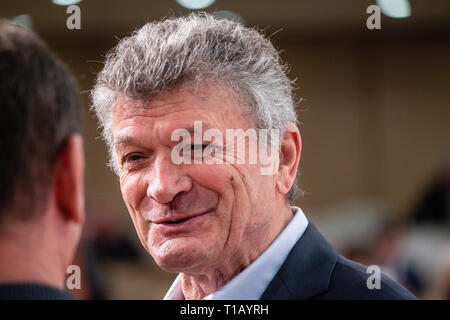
[[166, 180]]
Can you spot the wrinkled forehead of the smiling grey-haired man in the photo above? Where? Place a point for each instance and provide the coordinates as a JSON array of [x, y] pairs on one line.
[[215, 107]]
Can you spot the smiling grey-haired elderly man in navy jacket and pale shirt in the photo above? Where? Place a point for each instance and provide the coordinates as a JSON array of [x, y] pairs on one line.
[[200, 206]]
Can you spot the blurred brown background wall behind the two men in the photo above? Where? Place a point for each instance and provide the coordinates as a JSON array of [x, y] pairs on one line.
[[374, 115]]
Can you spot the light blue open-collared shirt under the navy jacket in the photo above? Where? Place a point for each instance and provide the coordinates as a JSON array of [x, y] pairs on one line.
[[251, 283]]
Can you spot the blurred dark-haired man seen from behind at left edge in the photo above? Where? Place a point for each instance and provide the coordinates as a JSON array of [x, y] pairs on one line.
[[41, 156]]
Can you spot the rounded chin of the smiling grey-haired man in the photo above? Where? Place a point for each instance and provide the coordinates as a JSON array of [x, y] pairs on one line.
[[180, 255]]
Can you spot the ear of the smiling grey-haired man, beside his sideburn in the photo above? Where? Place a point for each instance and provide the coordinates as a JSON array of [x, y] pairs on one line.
[[290, 151]]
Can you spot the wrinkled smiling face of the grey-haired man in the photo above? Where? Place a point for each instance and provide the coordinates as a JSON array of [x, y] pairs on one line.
[[190, 217]]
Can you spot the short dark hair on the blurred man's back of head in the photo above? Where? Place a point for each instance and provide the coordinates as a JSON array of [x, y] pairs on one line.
[[39, 109]]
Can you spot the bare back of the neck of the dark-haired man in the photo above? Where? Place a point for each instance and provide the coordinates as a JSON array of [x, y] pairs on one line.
[[26, 256]]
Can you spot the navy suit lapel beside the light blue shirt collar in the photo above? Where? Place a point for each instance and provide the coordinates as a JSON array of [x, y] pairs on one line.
[[306, 271]]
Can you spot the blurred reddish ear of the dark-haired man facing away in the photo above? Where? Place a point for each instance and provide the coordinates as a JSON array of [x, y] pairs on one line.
[[68, 176]]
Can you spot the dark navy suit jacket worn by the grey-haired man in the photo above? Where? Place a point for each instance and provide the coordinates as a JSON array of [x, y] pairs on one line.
[[314, 270]]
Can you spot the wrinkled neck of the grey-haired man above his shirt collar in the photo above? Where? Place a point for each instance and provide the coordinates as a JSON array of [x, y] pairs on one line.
[[199, 285]]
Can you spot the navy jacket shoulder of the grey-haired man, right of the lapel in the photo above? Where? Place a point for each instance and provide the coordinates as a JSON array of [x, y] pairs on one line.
[[352, 280]]
